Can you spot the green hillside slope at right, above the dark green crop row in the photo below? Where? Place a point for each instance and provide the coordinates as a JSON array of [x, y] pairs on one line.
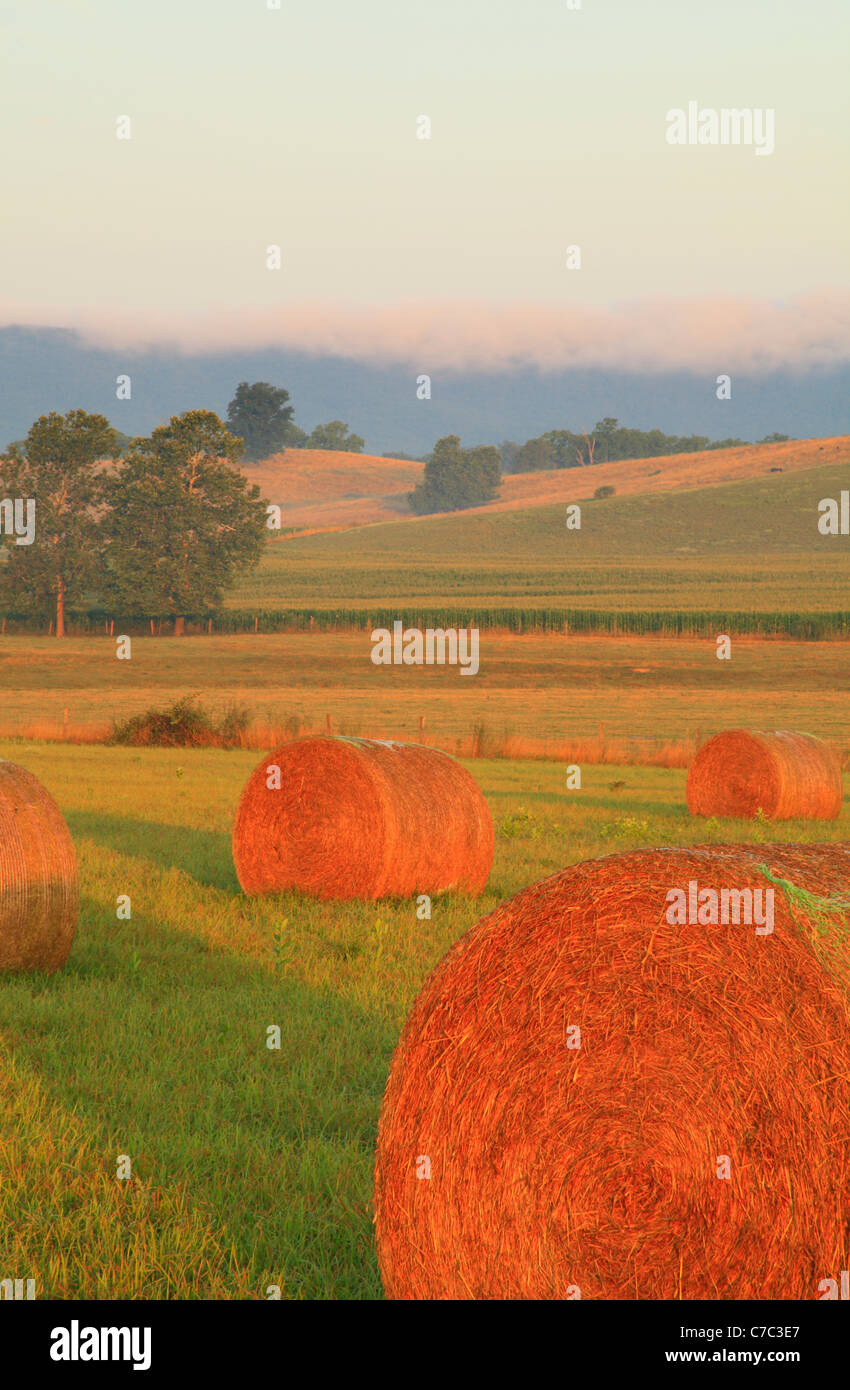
[[749, 546]]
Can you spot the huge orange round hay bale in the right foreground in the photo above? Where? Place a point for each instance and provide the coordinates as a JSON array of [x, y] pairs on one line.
[[515, 1164]]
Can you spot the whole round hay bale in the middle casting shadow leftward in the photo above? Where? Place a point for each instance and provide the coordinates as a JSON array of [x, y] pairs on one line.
[[358, 818]]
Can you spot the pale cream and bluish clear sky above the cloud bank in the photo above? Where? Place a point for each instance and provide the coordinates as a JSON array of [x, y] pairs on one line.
[[299, 127]]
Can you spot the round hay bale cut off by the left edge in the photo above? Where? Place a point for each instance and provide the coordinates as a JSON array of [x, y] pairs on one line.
[[40, 893]]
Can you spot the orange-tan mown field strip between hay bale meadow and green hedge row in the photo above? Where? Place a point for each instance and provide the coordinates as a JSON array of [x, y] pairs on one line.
[[541, 693]]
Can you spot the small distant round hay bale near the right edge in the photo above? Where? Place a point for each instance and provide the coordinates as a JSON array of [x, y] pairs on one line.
[[787, 776]]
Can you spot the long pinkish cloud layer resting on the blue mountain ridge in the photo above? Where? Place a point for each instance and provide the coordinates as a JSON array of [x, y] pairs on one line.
[[716, 336]]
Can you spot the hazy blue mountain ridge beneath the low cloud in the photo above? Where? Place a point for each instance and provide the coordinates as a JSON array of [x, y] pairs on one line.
[[56, 369]]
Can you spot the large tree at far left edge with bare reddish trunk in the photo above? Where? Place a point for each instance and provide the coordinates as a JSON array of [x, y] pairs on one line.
[[62, 469]]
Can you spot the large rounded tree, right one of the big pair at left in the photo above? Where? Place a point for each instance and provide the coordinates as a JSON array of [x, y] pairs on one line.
[[184, 521]]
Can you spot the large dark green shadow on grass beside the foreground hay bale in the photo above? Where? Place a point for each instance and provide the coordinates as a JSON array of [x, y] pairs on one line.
[[158, 1045]]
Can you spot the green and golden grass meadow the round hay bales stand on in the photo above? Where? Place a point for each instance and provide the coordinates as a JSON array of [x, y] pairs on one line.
[[251, 1167]]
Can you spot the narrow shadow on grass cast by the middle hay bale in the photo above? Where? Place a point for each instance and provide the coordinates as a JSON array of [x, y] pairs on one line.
[[205, 856]]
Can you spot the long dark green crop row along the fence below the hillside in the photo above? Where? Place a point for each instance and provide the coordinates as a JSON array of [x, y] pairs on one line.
[[815, 628]]
